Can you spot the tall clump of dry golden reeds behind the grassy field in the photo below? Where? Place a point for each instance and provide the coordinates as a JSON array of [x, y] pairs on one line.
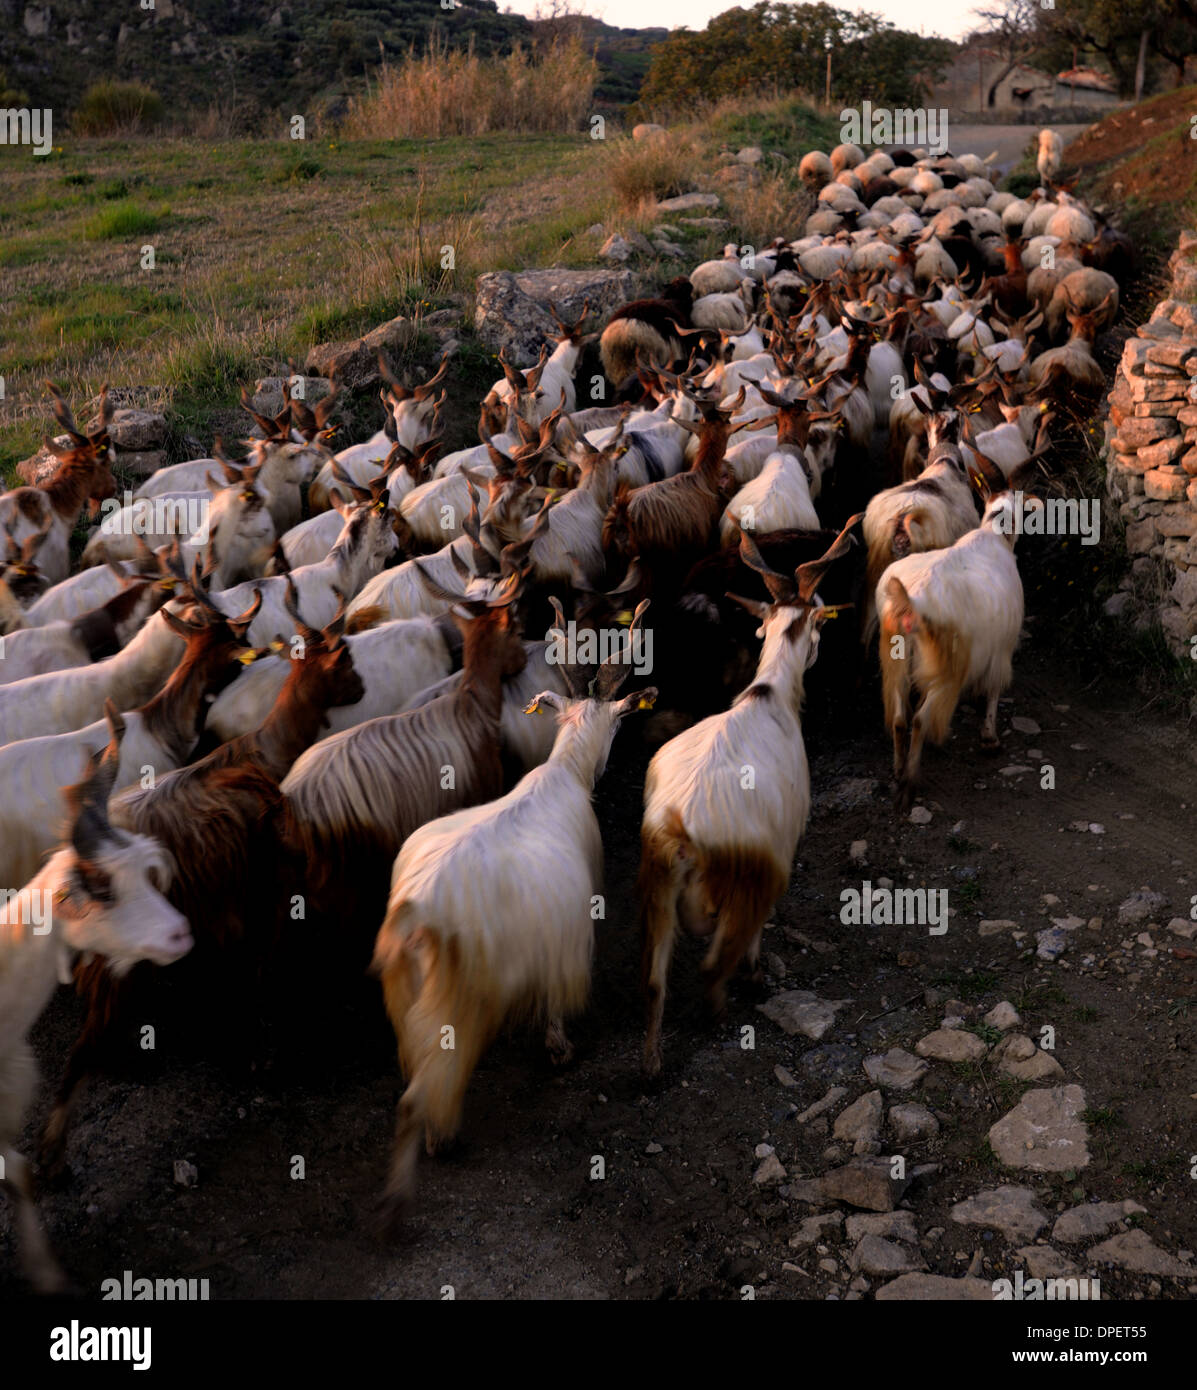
[[455, 92]]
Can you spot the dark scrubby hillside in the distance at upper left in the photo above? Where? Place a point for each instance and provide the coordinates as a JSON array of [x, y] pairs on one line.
[[279, 56]]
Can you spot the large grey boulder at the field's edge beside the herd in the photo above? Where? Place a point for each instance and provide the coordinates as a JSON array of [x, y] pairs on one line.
[[512, 309]]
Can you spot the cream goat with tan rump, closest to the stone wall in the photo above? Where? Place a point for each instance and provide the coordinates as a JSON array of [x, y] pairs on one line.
[[950, 623]]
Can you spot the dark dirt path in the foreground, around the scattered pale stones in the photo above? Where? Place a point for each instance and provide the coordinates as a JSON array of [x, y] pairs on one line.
[[515, 1211]]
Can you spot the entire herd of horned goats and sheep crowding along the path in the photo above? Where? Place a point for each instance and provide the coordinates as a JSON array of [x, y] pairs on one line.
[[377, 689]]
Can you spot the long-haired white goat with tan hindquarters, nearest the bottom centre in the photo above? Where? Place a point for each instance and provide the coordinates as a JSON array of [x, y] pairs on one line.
[[536, 858]]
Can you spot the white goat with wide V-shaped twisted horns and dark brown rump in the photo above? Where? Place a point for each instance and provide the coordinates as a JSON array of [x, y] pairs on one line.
[[715, 857]]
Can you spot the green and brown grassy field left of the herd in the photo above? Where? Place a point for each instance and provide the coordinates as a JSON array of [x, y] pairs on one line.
[[263, 248]]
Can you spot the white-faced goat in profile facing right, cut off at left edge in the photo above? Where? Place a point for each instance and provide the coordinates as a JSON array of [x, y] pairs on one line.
[[108, 893]]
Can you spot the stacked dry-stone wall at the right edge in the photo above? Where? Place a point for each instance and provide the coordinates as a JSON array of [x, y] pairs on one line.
[[1152, 437]]
